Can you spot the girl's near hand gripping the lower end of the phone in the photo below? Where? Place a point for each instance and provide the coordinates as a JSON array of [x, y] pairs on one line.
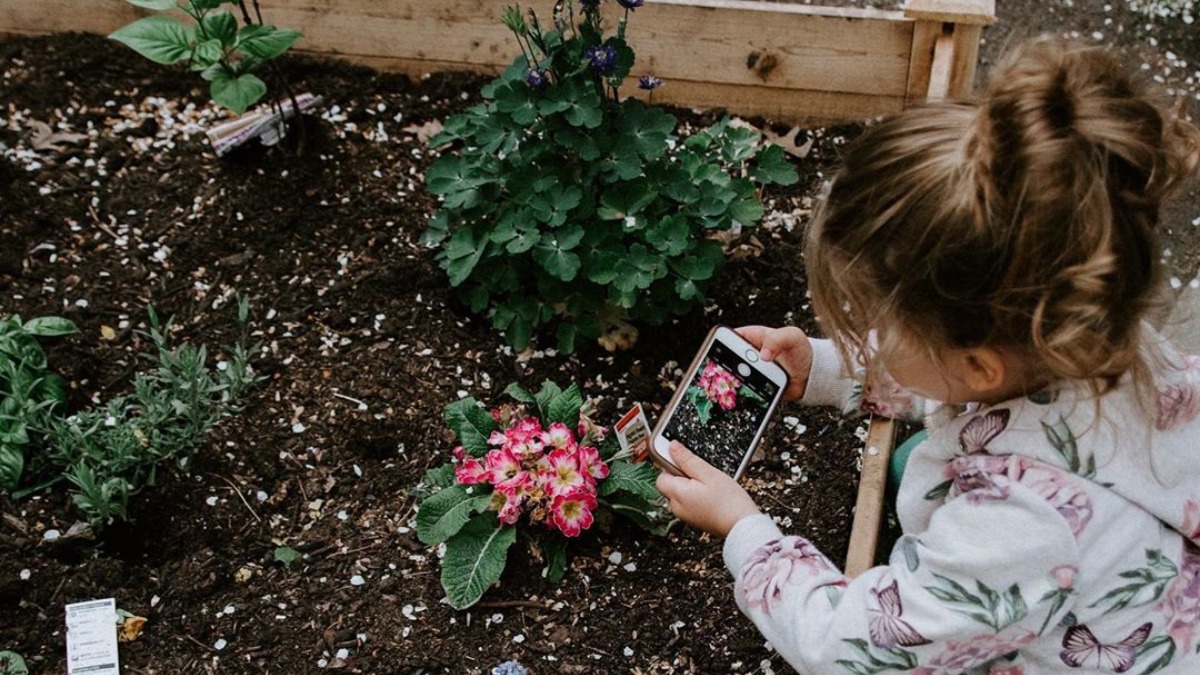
[[707, 498]]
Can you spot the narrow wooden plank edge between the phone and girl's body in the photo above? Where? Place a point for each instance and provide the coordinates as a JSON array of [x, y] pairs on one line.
[[865, 535]]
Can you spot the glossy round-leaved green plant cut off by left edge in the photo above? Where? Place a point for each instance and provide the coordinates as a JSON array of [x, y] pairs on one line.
[[28, 389]]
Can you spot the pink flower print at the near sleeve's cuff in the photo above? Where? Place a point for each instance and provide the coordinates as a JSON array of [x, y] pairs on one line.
[[778, 565]]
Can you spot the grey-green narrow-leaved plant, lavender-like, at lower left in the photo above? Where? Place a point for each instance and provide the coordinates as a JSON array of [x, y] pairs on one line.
[[110, 453]]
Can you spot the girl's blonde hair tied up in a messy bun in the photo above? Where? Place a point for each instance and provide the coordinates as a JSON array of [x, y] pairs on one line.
[[1023, 220]]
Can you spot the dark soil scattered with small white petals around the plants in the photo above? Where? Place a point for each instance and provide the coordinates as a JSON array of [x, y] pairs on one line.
[[352, 309]]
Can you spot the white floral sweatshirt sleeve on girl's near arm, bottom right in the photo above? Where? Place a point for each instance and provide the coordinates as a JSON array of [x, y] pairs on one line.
[[989, 576]]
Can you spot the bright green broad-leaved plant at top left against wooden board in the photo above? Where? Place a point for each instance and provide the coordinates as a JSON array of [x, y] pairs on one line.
[[212, 44]]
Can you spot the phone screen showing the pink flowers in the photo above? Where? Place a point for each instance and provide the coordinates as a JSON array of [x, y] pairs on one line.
[[723, 410]]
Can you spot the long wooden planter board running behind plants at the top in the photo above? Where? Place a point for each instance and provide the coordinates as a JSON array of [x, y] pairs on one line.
[[789, 63]]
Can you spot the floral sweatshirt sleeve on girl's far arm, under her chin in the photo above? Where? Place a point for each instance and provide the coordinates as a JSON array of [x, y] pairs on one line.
[[830, 385]]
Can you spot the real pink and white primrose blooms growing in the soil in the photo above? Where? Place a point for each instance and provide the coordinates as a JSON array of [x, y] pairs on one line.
[[545, 474]]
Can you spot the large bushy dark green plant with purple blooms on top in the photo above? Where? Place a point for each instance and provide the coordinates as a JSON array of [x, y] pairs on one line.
[[566, 205]]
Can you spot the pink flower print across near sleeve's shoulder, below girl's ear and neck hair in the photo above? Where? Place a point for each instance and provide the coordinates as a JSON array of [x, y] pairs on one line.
[[988, 477]]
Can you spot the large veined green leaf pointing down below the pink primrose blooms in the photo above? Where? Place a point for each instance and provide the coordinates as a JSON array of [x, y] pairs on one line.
[[476, 559]]
